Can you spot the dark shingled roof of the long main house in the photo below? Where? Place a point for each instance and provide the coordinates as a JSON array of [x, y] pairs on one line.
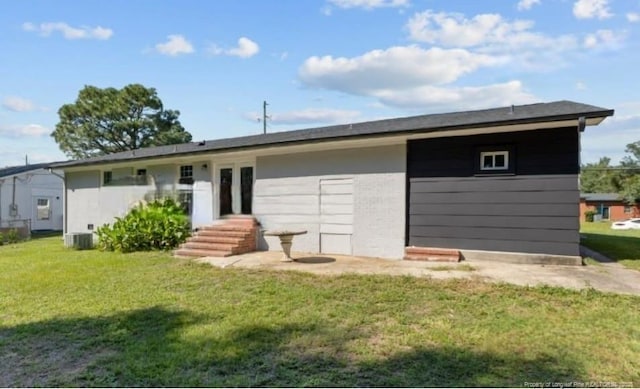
[[532, 113]]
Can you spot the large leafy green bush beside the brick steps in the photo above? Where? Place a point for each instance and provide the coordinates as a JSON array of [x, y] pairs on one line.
[[158, 225]]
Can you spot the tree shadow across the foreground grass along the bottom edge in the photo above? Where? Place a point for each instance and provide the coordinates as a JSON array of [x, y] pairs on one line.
[[159, 347]]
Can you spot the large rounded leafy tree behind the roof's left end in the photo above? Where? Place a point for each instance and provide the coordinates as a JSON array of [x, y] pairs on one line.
[[105, 121]]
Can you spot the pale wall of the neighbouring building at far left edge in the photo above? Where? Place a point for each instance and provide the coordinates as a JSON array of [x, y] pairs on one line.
[[29, 186]]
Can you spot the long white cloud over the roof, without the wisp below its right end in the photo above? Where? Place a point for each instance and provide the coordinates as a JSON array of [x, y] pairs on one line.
[[399, 67]]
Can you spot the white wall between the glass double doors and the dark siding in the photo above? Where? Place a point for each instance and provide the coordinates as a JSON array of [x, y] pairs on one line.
[[287, 195]]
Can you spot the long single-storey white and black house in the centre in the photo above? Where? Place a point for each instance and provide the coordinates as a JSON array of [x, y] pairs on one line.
[[501, 182]]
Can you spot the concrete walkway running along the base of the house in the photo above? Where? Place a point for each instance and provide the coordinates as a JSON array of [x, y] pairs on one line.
[[607, 277]]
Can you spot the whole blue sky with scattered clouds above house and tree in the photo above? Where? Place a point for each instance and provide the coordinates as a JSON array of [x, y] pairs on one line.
[[317, 62]]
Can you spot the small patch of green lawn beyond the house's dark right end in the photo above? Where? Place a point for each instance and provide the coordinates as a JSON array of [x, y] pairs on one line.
[[622, 246]]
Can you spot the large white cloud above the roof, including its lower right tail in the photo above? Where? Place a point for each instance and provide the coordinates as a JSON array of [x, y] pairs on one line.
[[412, 77]]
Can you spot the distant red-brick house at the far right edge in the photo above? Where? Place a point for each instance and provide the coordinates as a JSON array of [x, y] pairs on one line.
[[608, 206]]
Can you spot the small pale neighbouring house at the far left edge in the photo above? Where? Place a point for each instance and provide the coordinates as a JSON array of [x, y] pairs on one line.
[[31, 198]]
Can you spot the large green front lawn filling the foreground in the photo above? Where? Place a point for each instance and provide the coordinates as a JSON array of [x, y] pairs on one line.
[[86, 318]]
